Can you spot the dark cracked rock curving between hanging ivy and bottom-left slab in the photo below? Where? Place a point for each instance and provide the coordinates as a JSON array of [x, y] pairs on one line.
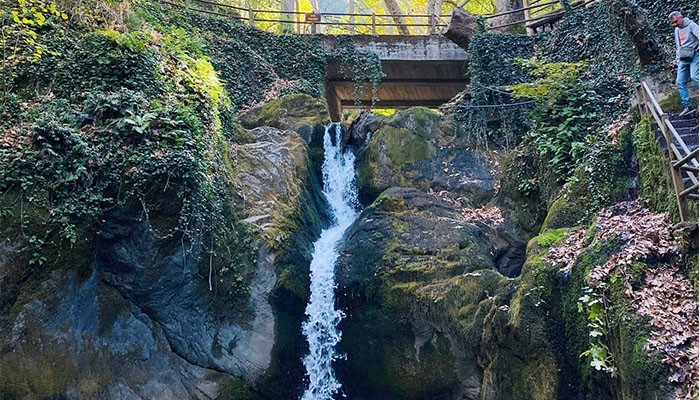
[[167, 289]]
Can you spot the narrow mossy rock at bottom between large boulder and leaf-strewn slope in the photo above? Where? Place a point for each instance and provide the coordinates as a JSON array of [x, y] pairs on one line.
[[516, 351]]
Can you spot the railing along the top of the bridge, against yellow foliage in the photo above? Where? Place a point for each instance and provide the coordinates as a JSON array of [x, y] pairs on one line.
[[363, 23]]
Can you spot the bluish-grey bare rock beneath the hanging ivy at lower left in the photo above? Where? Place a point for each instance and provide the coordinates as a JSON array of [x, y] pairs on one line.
[[139, 326]]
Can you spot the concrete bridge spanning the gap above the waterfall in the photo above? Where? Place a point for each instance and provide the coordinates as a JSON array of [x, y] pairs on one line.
[[419, 71]]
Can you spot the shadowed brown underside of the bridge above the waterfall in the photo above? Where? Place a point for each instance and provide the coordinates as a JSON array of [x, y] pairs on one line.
[[407, 83]]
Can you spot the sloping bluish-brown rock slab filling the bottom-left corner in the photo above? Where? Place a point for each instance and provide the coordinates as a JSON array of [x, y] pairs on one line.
[[76, 337]]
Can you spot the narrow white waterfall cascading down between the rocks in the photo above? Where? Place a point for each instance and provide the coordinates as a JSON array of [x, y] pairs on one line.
[[322, 318]]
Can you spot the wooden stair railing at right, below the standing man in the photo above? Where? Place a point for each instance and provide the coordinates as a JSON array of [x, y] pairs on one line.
[[683, 161]]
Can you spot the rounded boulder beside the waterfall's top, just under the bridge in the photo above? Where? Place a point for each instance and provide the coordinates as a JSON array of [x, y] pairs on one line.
[[410, 149]]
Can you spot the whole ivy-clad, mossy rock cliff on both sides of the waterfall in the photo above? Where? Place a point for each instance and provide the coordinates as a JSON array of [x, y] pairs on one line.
[[157, 219]]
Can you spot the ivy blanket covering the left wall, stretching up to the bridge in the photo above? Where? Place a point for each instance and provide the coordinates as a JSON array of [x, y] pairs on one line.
[[129, 113]]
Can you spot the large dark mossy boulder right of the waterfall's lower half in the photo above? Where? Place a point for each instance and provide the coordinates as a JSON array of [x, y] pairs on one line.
[[419, 281]]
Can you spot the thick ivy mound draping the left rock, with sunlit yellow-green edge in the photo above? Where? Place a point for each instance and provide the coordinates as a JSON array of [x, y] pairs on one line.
[[139, 133]]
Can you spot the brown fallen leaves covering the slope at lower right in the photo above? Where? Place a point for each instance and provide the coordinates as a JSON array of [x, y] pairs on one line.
[[634, 234]]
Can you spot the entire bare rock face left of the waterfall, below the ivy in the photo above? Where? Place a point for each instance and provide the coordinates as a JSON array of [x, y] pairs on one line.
[[135, 317]]
